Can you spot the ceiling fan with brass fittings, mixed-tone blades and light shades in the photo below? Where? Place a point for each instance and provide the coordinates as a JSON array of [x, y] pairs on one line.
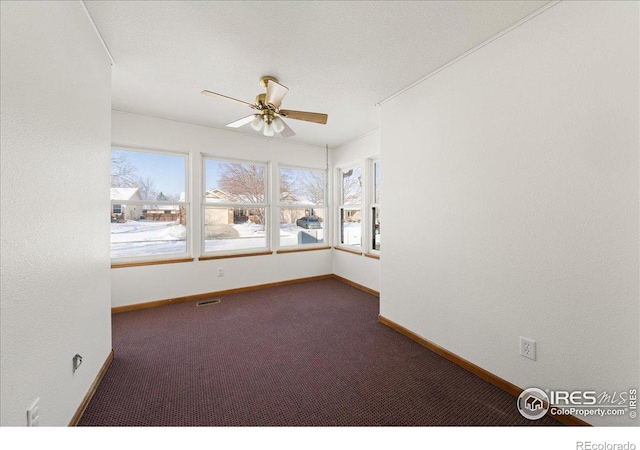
[[268, 117]]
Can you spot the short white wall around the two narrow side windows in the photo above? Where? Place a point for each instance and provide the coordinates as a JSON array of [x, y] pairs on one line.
[[359, 269]]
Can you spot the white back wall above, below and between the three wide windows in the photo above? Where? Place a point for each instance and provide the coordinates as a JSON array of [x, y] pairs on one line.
[[149, 283]]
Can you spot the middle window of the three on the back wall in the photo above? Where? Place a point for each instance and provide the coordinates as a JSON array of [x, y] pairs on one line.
[[235, 206]]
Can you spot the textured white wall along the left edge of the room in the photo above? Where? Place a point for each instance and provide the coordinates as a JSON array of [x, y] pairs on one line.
[[55, 103]]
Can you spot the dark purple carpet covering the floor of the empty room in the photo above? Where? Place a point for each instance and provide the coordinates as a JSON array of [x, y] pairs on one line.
[[308, 354]]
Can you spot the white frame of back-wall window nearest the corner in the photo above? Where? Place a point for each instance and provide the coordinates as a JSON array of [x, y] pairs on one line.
[[324, 206]]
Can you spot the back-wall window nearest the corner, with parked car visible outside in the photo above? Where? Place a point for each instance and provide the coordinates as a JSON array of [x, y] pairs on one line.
[[301, 206]]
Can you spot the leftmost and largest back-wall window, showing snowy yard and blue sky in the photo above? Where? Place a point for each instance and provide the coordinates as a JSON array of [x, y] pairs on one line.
[[149, 207]]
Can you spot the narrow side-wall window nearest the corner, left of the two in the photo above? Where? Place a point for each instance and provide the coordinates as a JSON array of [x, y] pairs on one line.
[[350, 209]]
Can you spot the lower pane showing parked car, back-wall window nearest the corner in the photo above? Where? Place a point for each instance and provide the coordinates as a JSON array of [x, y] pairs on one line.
[[300, 226]]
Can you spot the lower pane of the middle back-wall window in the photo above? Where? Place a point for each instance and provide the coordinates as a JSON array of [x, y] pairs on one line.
[[234, 228]]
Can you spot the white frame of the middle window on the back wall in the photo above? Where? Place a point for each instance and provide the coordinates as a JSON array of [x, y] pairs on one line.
[[250, 251]]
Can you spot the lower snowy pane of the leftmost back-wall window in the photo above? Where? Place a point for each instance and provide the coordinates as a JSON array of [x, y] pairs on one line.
[[146, 230]]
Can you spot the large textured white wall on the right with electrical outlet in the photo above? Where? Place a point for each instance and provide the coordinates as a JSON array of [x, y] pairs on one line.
[[520, 163]]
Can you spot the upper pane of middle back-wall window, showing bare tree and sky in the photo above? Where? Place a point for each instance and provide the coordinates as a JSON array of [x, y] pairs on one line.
[[228, 182]]
